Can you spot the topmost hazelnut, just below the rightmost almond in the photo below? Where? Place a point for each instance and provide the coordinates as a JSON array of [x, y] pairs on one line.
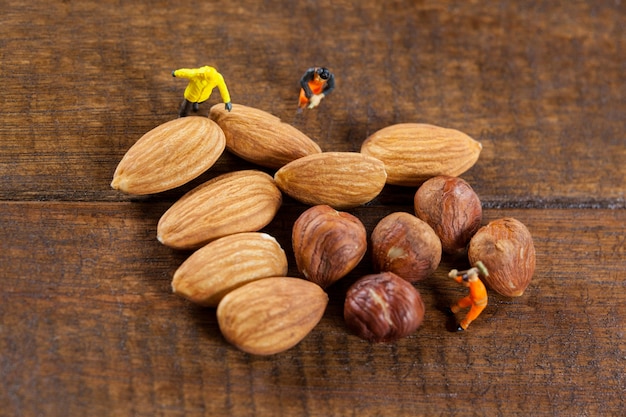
[[451, 207]]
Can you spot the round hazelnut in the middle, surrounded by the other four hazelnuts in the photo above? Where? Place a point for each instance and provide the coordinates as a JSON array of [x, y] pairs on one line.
[[406, 246]]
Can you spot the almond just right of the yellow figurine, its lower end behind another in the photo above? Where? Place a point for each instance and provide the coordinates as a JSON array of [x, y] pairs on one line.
[[260, 137]]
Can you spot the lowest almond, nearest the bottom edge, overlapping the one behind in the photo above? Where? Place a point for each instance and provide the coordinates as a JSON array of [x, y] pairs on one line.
[[271, 315]]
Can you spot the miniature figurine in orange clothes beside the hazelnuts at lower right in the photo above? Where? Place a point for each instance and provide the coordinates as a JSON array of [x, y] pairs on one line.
[[477, 298]]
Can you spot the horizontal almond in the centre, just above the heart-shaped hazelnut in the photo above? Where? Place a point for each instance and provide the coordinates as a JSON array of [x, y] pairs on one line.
[[339, 179]]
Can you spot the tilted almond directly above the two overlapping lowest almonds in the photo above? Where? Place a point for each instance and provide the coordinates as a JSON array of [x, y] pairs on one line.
[[240, 201]]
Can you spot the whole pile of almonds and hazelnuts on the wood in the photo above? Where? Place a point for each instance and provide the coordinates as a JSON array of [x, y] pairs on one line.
[[242, 271]]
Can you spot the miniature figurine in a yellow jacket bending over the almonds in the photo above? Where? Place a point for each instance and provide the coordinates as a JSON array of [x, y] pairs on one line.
[[202, 81]]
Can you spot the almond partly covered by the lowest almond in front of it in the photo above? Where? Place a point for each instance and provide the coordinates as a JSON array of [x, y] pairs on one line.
[[228, 263]]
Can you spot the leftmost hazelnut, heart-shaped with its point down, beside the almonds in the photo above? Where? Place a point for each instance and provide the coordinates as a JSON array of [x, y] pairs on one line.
[[327, 244]]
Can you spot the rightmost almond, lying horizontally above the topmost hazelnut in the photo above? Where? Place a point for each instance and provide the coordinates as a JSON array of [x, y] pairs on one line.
[[414, 152]]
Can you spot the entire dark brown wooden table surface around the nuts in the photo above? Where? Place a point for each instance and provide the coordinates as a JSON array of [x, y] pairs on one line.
[[88, 323]]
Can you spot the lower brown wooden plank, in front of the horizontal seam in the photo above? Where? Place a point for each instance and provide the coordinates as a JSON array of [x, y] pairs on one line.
[[88, 326]]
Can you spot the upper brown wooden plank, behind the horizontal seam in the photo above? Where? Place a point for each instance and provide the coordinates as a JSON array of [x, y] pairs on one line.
[[543, 94]]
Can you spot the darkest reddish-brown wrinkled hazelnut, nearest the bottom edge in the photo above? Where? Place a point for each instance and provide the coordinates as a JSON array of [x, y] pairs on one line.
[[383, 308]]
